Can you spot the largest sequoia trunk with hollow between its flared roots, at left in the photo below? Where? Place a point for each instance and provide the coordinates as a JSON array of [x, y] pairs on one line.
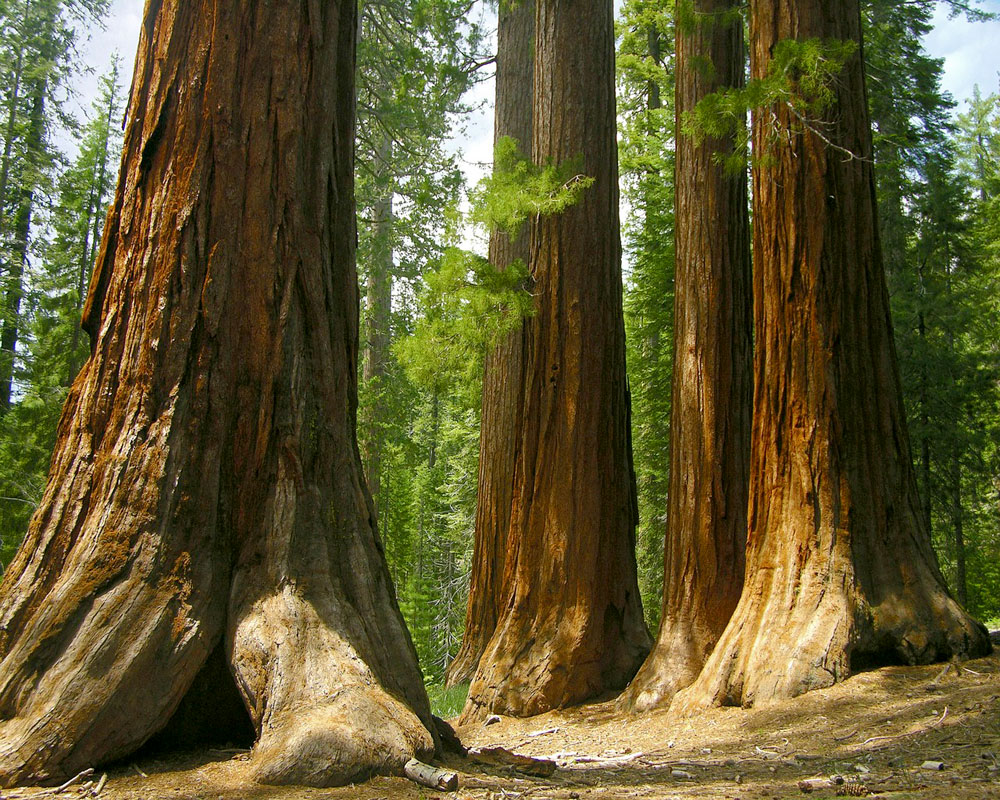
[[206, 485]]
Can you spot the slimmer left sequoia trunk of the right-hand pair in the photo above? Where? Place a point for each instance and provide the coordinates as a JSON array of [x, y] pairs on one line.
[[710, 411]]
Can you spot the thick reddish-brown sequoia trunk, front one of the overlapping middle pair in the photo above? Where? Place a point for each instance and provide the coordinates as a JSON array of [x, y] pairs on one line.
[[572, 625]]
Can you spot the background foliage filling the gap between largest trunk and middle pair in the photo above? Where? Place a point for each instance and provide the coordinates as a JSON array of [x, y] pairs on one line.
[[416, 60]]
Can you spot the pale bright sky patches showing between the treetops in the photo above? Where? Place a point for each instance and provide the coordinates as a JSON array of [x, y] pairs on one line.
[[971, 53]]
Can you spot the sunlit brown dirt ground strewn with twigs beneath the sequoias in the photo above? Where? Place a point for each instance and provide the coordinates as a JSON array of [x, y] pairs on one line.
[[875, 731]]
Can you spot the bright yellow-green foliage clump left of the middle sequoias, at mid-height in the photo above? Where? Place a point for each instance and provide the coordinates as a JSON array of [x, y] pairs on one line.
[[467, 307]]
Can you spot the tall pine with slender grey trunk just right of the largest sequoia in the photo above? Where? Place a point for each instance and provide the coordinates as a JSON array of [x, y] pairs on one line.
[[415, 63]]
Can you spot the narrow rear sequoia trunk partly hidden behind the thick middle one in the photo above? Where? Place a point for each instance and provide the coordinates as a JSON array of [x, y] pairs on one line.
[[503, 374]]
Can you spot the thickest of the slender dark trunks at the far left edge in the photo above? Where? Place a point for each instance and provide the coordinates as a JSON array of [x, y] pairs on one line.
[[10, 328]]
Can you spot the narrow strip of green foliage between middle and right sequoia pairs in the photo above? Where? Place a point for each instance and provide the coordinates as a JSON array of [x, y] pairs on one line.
[[646, 159]]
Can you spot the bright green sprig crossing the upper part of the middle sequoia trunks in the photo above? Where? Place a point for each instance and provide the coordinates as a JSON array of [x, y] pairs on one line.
[[518, 190]]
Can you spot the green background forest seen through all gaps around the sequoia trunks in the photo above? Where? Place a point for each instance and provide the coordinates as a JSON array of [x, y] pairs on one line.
[[938, 173]]
